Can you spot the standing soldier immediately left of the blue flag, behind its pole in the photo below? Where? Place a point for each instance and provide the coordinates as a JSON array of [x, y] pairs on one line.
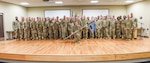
[[84, 23]]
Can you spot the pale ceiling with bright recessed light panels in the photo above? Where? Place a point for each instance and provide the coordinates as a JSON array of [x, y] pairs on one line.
[[37, 3]]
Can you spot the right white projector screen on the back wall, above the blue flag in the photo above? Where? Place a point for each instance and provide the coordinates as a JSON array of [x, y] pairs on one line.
[[95, 12]]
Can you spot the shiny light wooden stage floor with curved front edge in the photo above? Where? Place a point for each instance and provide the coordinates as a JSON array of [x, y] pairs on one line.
[[68, 50]]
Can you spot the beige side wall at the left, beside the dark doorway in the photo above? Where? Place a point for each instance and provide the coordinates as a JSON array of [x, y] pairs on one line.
[[10, 11]]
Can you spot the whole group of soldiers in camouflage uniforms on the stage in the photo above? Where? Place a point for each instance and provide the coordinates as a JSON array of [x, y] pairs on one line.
[[59, 28]]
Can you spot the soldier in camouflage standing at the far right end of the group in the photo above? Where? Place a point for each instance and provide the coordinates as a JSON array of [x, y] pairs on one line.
[[134, 27]]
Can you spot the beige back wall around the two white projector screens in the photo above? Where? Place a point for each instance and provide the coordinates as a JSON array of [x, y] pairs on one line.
[[113, 10]]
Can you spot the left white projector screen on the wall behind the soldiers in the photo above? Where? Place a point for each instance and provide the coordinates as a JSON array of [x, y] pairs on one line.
[[59, 13]]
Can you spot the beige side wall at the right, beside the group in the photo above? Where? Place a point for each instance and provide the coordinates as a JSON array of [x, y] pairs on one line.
[[141, 9]]
